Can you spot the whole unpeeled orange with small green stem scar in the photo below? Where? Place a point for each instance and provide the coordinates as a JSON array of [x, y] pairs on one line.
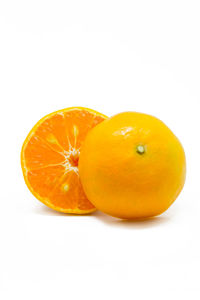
[[132, 166]]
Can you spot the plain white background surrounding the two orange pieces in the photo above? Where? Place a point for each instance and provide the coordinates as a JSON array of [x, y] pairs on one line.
[[111, 56]]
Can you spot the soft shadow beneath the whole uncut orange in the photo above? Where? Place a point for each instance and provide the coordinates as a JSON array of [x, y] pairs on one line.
[[140, 223]]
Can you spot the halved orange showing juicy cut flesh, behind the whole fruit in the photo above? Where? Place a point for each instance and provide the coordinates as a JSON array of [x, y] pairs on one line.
[[49, 159]]
